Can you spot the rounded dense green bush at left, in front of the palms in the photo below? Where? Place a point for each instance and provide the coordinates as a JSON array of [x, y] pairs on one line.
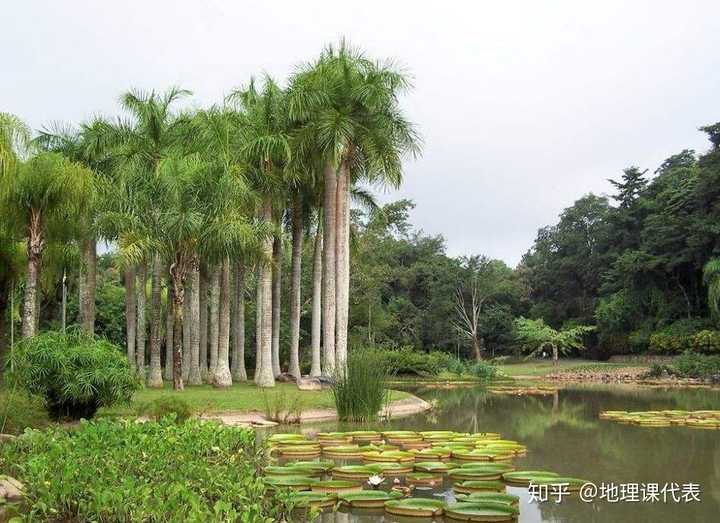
[[75, 374]]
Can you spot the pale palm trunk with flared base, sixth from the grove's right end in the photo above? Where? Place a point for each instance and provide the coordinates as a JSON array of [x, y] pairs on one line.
[[266, 378]]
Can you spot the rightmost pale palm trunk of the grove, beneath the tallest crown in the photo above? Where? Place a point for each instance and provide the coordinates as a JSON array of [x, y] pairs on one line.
[[342, 268]]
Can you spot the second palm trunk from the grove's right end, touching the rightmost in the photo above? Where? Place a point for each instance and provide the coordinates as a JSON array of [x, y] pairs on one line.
[[328, 281]]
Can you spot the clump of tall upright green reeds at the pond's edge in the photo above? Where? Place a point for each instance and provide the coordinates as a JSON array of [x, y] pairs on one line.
[[361, 392]]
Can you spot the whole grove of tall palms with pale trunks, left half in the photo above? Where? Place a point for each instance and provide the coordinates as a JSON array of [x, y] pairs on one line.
[[200, 199]]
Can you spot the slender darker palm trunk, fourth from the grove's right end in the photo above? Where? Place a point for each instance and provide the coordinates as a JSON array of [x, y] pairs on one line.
[[296, 287]]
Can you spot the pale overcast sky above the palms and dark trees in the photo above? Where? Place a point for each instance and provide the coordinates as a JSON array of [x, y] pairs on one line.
[[523, 106]]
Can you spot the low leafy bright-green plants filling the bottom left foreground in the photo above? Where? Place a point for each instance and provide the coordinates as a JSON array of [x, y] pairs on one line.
[[126, 471]]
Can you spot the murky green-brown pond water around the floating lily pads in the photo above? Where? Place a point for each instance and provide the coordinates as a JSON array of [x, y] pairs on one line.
[[563, 434]]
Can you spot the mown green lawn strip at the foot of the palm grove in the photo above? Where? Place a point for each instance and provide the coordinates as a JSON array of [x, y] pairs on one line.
[[240, 397]]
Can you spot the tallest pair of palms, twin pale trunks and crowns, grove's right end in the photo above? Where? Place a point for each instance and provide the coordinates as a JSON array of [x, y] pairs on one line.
[[348, 107]]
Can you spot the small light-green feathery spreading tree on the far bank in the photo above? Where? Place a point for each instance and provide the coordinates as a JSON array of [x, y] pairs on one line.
[[536, 335]]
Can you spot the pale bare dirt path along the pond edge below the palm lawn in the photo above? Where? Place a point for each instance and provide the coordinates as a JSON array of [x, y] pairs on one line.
[[396, 409]]
